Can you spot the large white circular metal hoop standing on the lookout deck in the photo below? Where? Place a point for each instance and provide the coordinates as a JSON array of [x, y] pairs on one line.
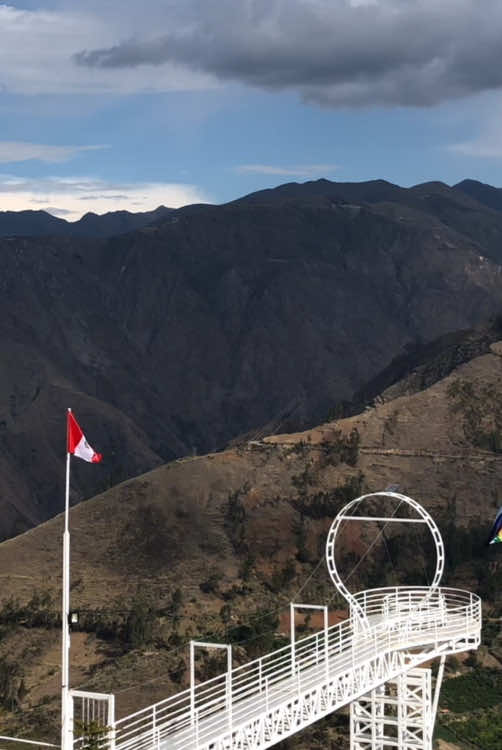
[[424, 517]]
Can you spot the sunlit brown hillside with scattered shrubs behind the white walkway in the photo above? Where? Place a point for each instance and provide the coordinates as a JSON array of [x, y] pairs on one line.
[[217, 545]]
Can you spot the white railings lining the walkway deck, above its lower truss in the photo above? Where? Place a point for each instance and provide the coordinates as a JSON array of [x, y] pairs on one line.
[[422, 618]]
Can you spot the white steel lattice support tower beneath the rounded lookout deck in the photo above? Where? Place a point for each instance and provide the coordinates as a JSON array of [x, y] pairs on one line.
[[396, 714]]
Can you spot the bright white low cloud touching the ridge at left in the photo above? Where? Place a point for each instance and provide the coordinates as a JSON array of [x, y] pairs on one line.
[[74, 196]]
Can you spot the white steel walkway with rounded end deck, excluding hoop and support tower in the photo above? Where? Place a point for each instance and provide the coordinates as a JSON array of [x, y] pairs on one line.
[[264, 701]]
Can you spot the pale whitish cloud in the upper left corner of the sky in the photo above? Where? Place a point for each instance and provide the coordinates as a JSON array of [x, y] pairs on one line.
[[37, 49]]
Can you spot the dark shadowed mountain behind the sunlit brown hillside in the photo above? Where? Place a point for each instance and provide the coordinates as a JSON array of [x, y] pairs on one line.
[[217, 320]]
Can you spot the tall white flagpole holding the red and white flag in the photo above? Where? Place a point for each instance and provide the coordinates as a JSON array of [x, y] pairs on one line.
[[65, 613]]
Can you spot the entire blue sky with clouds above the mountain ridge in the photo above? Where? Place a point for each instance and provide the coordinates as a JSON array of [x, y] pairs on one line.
[[115, 104]]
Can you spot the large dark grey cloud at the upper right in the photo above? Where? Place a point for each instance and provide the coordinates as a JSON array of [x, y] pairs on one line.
[[334, 52]]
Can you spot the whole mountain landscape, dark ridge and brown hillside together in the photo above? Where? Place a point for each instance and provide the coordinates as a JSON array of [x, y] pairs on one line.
[[343, 337]]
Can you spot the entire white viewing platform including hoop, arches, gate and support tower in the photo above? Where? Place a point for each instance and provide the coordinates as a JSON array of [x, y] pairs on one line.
[[373, 661]]
